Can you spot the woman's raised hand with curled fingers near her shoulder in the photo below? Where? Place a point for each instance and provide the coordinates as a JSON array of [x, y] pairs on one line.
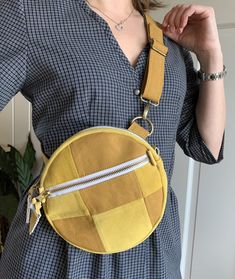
[[194, 27]]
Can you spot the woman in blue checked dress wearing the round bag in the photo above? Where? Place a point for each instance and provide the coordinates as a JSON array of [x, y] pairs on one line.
[[81, 64]]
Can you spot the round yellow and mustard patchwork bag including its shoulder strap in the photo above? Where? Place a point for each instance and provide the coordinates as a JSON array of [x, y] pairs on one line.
[[104, 189]]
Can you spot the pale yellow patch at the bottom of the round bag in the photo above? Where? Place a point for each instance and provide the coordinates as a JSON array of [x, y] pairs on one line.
[[124, 226]]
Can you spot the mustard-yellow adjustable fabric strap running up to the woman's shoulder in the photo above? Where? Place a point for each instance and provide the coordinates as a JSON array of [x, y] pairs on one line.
[[153, 81]]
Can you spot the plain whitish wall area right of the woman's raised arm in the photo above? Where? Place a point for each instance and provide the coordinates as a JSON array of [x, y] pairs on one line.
[[214, 246]]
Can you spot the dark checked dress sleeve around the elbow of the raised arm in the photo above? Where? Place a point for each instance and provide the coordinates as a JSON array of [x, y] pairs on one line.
[[188, 136]]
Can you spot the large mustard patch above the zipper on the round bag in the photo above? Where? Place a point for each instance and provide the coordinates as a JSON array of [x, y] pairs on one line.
[[95, 156]]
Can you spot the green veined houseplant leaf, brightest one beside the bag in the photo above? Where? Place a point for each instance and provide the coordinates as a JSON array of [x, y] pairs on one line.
[[23, 172]]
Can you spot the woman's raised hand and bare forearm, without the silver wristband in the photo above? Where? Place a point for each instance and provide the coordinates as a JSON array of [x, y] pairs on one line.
[[194, 27]]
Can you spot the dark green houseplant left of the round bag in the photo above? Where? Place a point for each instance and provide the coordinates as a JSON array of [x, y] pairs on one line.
[[15, 176]]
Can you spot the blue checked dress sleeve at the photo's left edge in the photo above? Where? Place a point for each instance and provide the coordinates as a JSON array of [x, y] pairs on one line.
[[13, 49]]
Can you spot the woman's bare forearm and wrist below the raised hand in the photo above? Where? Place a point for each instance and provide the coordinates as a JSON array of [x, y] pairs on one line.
[[211, 107]]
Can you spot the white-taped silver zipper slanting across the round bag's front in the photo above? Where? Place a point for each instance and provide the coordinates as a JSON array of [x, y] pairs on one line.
[[108, 174]]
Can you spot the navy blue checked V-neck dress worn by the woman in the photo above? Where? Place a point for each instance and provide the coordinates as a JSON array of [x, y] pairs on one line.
[[65, 60]]
